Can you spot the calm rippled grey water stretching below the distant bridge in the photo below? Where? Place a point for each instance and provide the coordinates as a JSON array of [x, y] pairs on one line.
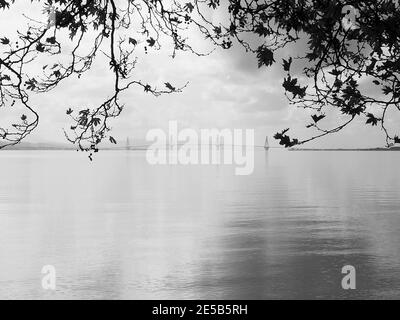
[[119, 228]]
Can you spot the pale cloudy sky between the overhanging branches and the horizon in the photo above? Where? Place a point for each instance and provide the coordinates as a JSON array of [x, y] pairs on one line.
[[226, 90]]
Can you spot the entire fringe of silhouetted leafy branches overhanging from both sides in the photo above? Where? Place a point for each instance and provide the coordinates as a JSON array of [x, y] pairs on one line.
[[346, 52]]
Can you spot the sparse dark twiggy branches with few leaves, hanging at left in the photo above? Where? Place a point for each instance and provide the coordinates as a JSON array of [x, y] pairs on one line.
[[104, 25]]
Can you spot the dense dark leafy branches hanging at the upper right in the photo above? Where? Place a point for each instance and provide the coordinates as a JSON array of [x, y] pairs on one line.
[[350, 61]]
